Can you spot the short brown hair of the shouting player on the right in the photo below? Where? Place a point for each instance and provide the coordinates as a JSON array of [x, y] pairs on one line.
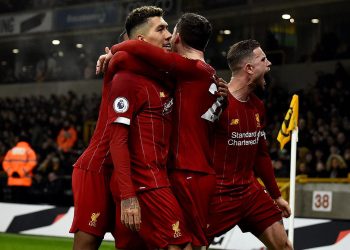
[[240, 51]]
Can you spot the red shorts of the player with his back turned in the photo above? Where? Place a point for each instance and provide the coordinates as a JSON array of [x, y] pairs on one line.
[[194, 192]]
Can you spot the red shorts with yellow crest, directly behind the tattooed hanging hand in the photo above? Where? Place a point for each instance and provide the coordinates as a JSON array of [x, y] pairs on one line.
[[162, 222]]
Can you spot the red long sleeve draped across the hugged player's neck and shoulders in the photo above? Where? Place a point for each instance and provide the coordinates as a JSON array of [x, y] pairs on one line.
[[165, 61]]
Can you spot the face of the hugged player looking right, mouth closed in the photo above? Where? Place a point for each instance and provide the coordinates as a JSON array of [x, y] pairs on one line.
[[158, 33]]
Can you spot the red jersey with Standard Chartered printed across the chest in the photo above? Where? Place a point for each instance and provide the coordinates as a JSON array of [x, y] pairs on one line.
[[240, 146]]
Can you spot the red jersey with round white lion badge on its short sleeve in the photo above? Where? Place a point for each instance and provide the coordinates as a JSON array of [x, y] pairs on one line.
[[144, 105]]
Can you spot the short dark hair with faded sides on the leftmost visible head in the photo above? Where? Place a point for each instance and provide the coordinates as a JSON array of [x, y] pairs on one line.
[[140, 16]]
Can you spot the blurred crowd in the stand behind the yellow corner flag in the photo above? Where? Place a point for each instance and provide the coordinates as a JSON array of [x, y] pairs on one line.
[[324, 127]]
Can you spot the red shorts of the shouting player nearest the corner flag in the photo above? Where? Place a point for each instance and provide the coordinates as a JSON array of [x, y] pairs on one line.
[[252, 212]]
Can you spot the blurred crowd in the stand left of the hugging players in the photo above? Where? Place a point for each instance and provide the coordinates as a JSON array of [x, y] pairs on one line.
[[47, 122]]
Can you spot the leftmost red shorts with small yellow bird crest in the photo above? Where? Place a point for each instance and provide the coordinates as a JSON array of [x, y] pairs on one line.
[[94, 209]]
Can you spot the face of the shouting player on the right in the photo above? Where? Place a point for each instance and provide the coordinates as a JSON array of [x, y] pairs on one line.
[[261, 67]]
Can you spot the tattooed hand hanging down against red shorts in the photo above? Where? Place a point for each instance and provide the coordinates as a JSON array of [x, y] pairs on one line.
[[130, 214]]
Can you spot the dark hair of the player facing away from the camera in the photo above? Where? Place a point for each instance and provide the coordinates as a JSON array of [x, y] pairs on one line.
[[195, 30]]
